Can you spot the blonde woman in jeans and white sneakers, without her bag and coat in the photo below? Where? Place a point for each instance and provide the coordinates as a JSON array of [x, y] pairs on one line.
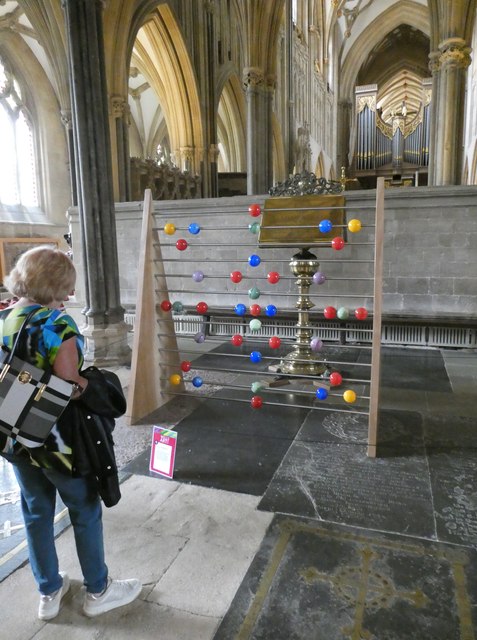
[[42, 279]]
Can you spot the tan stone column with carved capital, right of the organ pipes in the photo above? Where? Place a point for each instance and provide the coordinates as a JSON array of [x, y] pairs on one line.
[[448, 66]]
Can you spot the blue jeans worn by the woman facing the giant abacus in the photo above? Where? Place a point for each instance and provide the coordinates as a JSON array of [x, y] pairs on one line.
[[38, 500]]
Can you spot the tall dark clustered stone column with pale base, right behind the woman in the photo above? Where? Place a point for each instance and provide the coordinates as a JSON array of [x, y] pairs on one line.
[[105, 331]]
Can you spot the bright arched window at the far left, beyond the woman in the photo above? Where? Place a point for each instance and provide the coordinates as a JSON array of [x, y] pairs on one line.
[[18, 181]]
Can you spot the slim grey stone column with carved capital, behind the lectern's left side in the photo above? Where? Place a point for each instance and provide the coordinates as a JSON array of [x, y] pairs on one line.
[[259, 93]]
